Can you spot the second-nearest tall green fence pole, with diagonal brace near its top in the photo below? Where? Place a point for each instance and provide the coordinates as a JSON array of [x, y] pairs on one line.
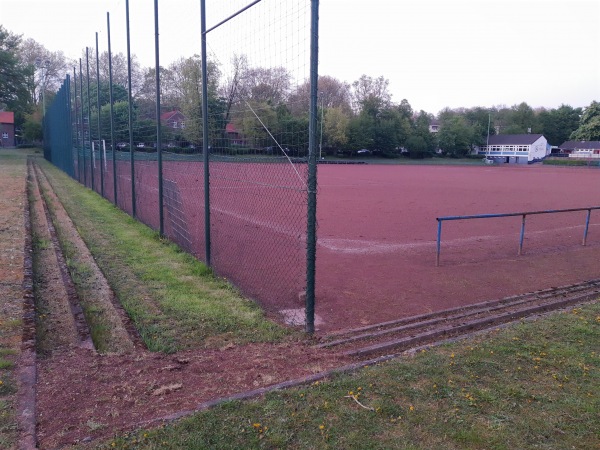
[[205, 155]]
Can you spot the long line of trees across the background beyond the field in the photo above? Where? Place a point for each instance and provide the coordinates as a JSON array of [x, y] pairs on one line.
[[267, 109]]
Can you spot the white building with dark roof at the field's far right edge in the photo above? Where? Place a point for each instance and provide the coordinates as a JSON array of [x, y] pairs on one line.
[[515, 148]]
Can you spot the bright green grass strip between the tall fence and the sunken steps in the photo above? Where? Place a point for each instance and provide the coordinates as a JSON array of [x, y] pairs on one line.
[[173, 299]]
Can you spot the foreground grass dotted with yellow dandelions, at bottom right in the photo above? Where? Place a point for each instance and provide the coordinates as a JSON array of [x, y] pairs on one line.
[[530, 386]]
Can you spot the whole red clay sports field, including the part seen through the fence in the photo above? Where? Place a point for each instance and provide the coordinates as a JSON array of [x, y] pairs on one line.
[[377, 232]]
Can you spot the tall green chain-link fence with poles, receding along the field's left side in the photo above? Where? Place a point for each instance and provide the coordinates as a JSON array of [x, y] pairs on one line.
[[217, 150]]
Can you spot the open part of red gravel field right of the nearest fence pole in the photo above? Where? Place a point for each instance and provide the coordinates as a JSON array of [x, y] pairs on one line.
[[377, 234]]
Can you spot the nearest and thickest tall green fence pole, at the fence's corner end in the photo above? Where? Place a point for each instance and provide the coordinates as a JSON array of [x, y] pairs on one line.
[[311, 234]]
